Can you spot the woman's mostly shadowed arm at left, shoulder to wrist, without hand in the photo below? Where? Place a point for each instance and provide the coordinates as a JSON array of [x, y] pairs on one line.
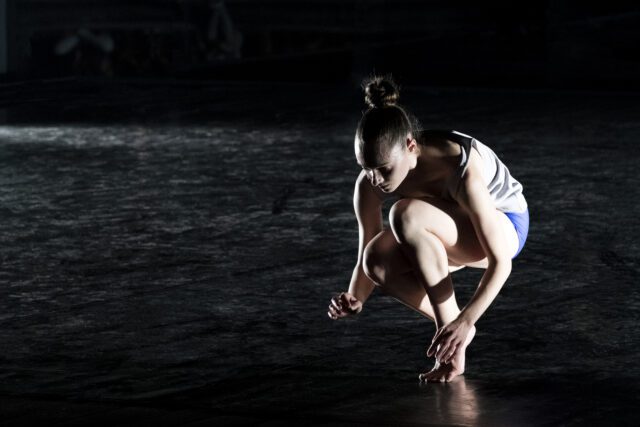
[[367, 204]]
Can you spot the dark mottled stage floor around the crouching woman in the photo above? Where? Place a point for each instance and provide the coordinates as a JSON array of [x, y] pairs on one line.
[[169, 250]]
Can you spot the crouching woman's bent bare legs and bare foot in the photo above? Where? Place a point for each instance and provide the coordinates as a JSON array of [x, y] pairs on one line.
[[411, 264]]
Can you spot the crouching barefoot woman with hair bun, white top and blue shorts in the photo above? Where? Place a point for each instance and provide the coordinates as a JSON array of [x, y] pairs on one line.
[[458, 206]]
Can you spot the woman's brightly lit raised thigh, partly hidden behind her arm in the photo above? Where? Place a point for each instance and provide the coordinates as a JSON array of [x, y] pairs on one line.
[[452, 225]]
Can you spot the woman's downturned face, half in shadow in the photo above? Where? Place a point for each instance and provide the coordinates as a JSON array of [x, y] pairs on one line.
[[385, 170]]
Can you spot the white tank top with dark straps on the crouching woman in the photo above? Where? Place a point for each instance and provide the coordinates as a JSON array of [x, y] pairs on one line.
[[505, 190]]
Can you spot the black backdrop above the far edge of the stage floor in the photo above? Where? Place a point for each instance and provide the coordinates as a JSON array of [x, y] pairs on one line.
[[531, 44]]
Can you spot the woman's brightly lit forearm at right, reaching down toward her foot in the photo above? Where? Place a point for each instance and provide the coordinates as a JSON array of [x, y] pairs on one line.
[[492, 281]]
